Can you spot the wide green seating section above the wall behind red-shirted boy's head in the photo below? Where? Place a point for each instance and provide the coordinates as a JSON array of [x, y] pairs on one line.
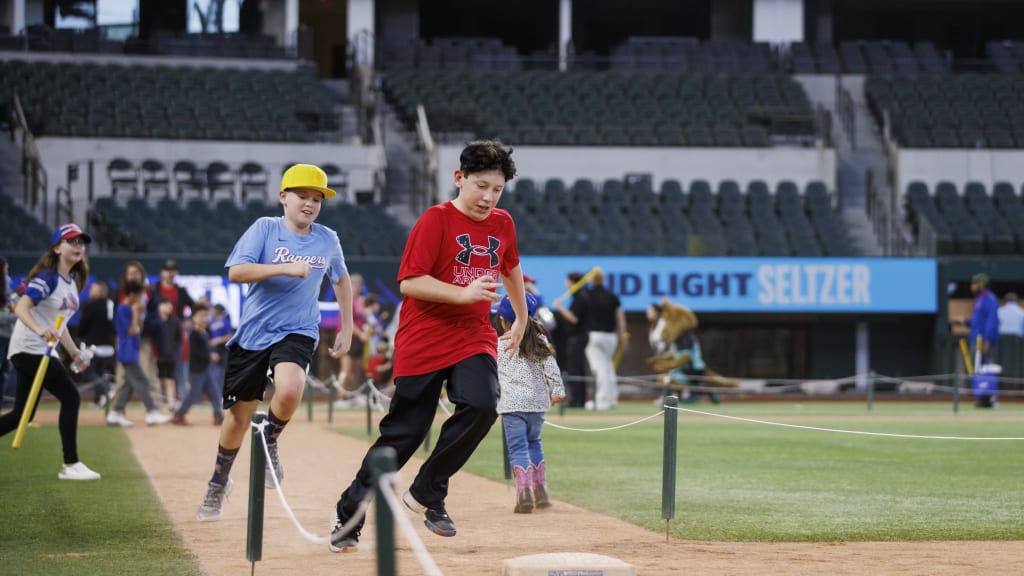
[[543, 108]]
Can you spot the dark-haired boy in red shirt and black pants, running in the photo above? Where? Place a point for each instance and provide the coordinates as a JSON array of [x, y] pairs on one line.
[[454, 258]]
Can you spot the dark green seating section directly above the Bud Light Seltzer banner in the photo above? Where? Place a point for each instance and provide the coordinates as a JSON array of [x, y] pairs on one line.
[[611, 218]]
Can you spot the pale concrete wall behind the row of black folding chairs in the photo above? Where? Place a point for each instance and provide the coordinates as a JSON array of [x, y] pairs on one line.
[[362, 162]]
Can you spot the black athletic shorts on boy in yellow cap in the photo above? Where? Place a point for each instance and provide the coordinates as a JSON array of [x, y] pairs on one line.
[[247, 377]]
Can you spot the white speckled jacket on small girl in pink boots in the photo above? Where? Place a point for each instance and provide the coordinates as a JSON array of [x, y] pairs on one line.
[[526, 386]]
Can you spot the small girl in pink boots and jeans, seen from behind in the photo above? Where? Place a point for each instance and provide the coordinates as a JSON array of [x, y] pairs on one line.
[[531, 383]]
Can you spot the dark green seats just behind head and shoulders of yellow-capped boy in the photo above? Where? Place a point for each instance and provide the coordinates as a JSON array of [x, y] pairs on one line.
[[201, 227]]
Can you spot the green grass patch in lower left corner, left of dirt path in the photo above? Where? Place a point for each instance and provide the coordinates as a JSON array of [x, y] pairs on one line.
[[115, 526]]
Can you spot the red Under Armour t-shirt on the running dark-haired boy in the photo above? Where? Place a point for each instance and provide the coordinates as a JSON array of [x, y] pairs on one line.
[[454, 249]]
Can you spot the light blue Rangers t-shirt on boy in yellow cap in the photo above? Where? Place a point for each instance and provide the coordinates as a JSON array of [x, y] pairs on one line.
[[281, 306]]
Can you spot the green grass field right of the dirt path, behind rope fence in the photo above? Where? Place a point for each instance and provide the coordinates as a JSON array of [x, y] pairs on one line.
[[749, 482]]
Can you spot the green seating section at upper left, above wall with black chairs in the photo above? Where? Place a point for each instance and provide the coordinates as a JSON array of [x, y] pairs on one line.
[[177, 103]]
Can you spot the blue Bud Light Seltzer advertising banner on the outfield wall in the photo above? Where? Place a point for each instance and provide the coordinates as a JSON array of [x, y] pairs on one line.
[[755, 285]]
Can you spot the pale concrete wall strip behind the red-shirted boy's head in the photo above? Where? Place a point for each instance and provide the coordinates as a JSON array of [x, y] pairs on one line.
[[685, 164]]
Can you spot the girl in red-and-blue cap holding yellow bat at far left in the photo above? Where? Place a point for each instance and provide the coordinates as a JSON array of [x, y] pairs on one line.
[[53, 289]]
